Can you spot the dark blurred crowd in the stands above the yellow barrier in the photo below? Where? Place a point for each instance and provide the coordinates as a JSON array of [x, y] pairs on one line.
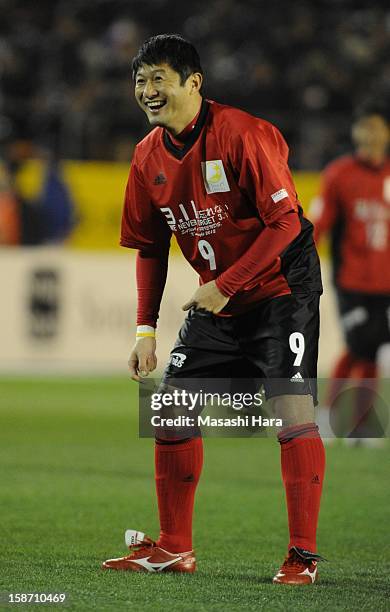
[[303, 65]]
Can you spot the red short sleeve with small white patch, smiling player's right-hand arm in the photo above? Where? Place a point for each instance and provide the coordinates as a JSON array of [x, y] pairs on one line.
[[260, 157]]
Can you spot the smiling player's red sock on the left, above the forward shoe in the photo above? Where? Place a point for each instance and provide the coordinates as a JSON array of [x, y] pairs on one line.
[[178, 468]]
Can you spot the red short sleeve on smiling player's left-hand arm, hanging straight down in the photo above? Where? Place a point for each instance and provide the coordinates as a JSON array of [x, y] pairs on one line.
[[143, 226]]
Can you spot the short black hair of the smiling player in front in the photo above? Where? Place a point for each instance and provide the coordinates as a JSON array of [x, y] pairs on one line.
[[171, 49]]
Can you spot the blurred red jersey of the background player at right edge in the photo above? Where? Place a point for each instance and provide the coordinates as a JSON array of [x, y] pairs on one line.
[[356, 209]]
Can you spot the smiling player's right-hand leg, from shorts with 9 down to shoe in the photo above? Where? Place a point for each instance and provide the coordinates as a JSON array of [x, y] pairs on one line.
[[284, 345]]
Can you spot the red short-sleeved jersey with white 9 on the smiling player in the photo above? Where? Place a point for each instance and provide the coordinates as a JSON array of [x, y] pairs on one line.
[[217, 194]]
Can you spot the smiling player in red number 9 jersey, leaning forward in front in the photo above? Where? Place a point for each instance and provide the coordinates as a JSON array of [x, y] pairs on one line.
[[218, 179]]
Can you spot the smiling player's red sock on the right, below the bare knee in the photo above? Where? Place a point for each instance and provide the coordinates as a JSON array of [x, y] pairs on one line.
[[303, 467]]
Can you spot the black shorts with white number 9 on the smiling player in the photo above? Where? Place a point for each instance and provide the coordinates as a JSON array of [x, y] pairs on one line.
[[276, 341]]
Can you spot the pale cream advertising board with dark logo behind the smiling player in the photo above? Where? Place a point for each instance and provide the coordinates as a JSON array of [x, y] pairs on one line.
[[74, 311]]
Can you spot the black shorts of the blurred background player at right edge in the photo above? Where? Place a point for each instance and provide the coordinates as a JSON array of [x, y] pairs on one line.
[[365, 320]]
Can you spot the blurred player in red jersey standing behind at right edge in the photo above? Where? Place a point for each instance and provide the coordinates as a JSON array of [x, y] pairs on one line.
[[355, 211]]
